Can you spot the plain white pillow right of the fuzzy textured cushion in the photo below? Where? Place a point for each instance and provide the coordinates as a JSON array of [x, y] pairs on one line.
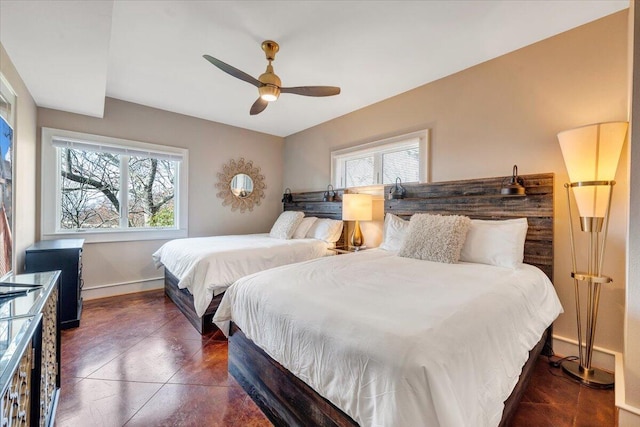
[[499, 243]]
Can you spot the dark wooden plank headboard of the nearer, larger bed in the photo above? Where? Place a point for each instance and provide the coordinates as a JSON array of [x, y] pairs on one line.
[[481, 199]]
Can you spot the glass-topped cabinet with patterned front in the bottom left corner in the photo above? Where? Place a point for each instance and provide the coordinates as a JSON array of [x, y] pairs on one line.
[[29, 349]]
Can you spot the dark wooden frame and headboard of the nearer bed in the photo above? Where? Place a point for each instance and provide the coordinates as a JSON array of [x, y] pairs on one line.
[[288, 401]]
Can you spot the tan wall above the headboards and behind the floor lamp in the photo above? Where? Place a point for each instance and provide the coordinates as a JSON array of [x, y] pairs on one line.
[[503, 112]]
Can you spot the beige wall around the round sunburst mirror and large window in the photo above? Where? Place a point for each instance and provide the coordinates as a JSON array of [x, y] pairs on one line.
[[210, 146]]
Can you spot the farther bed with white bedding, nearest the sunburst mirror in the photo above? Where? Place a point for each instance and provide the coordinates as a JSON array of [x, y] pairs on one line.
[[198, 270]]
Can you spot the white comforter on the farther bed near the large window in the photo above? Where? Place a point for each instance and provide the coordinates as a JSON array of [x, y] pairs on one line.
[[206, 266]]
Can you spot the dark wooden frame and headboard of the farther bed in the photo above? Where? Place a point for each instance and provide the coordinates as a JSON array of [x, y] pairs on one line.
[[311, 203]]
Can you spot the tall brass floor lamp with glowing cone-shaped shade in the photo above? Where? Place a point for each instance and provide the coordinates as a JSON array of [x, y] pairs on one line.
[[591, 155]]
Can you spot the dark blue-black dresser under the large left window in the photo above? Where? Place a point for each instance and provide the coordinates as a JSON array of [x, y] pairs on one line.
[[64, 255]]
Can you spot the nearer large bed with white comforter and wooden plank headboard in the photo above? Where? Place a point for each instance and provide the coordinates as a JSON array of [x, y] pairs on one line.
[[375, 338]]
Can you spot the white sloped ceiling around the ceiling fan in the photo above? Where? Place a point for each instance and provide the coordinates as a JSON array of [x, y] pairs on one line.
[[71, 54]]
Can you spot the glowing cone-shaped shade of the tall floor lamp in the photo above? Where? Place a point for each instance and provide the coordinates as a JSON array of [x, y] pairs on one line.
[[591, 153]]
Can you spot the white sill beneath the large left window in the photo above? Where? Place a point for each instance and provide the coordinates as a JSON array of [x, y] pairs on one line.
[[117, 236]]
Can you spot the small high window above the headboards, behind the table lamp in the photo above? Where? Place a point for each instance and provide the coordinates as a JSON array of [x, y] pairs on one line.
[[381, 162]]
